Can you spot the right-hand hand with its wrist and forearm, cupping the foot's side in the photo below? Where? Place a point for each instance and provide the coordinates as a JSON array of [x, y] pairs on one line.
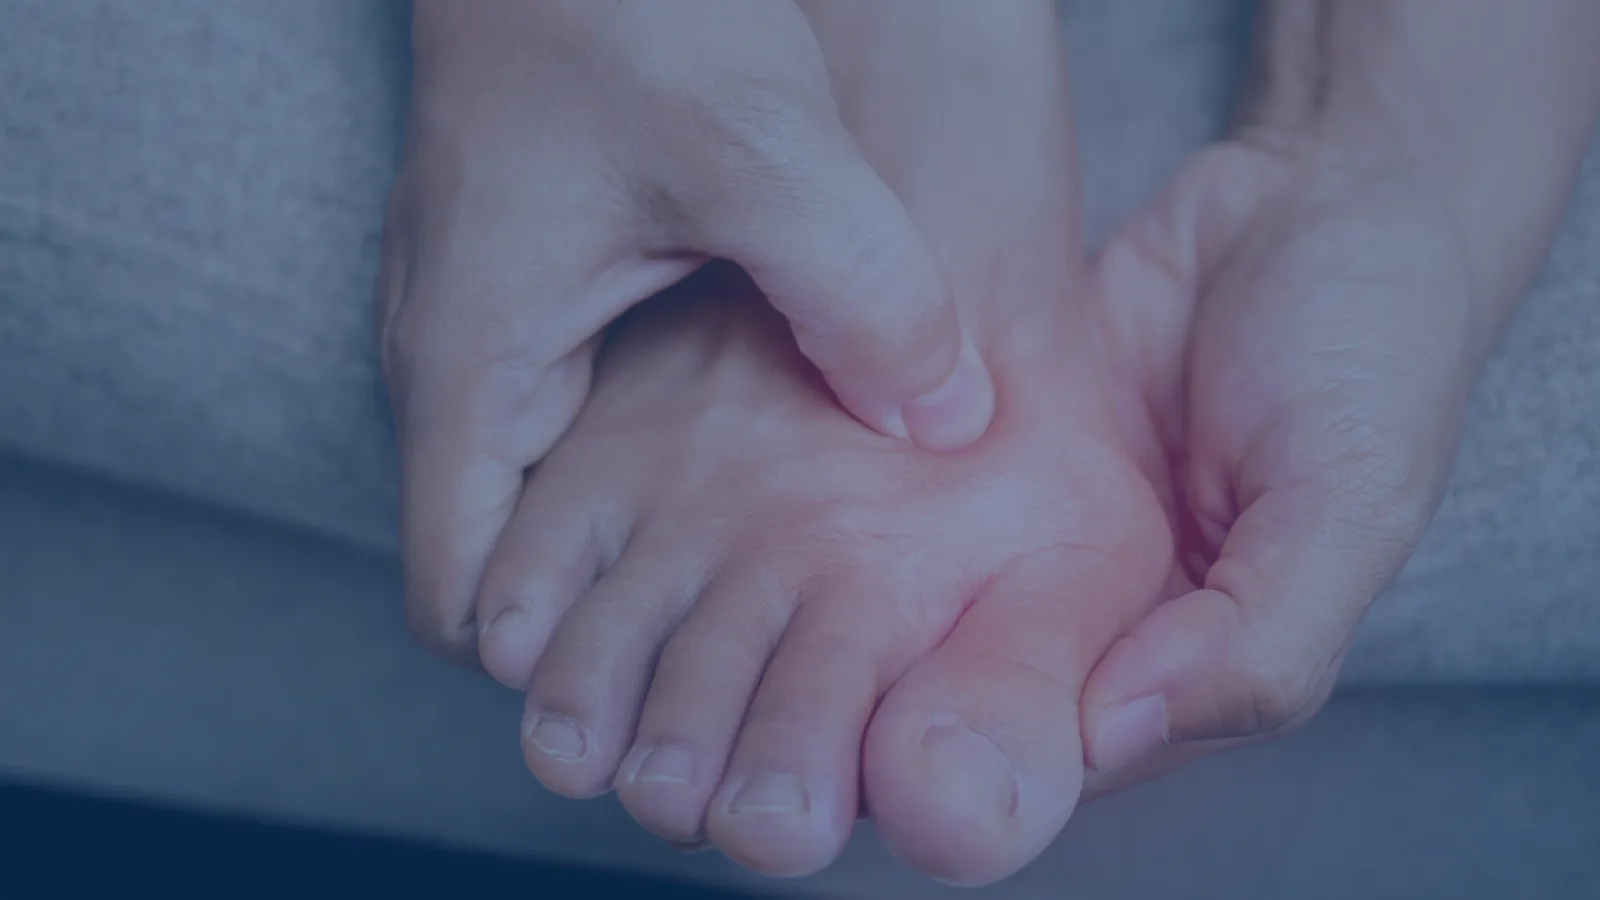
[[1303, 315]]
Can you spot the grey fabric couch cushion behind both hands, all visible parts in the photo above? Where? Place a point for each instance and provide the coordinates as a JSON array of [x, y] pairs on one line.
[[188, 233]]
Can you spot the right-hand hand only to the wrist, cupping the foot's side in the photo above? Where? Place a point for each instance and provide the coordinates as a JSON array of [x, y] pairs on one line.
[[1305, 339]]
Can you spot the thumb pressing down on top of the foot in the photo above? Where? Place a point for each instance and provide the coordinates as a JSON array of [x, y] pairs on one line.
[[838, 254]]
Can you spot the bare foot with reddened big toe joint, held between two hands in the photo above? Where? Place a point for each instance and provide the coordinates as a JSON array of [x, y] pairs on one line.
[[743, 609]]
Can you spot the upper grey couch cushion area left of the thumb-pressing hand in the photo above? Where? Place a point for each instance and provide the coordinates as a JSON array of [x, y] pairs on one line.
[[190, 217]]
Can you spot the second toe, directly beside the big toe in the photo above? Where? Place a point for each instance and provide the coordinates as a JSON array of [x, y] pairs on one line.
[[790, 795]]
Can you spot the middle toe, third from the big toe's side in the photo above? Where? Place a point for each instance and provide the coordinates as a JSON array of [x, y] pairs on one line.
[[703, 686]]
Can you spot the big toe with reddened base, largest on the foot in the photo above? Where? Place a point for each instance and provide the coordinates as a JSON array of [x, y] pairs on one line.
[[974, 761]]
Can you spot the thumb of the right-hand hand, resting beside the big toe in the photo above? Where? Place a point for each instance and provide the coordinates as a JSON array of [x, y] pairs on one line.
[[1257, 649]]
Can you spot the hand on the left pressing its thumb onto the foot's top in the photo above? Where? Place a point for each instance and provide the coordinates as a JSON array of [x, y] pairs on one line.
[[566, 161]]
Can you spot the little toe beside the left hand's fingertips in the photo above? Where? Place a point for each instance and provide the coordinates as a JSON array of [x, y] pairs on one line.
[[548, 556]]
